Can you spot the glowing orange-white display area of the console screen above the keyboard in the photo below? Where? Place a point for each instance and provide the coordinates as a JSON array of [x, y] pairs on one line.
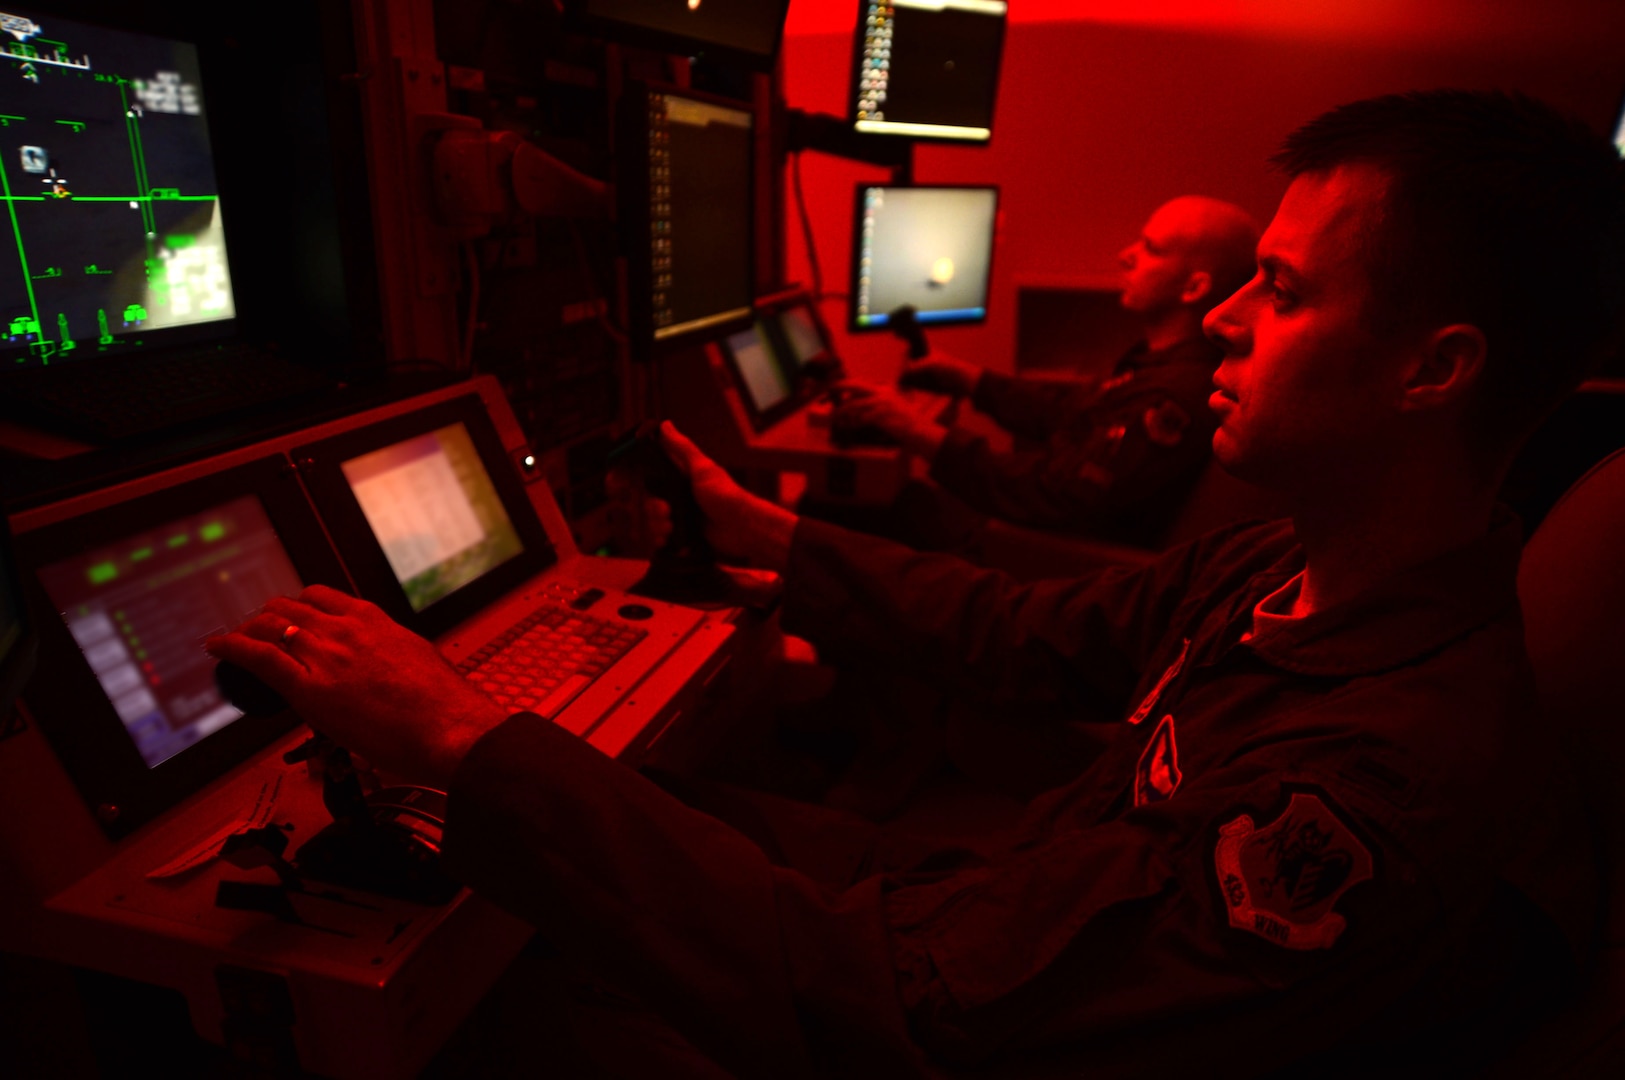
[[435, 512]]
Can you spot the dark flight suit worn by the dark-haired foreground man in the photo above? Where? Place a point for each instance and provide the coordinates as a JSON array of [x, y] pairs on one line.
[[1345, 827]]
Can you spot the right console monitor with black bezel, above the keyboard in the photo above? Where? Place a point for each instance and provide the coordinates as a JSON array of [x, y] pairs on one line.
[[428, 514]]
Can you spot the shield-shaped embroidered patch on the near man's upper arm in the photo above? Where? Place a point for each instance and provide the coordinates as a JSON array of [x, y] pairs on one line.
[[1283, 881]]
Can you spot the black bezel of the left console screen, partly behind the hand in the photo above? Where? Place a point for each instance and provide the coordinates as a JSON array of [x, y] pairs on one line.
[[67, 702]]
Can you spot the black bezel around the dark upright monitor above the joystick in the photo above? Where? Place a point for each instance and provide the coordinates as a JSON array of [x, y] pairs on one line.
[[635, 199]]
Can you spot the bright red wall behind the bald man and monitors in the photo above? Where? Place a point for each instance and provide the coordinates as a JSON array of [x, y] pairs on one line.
[[1098, 124]]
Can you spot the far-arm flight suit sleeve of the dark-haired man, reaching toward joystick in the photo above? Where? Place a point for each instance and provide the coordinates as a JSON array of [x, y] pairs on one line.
[[865, 600]]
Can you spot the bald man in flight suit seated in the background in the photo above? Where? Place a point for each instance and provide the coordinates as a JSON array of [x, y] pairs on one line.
[[1117, 456]]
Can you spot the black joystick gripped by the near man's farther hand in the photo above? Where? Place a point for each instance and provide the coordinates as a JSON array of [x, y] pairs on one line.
[[685, 569]]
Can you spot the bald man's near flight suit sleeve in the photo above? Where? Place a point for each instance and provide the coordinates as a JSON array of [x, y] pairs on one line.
[[1142, 452]]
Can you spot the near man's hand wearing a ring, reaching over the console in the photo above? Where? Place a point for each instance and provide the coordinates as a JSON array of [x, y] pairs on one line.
[[365, 681]]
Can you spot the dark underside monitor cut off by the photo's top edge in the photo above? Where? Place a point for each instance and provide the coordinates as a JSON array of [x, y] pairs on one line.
[[742, 32]]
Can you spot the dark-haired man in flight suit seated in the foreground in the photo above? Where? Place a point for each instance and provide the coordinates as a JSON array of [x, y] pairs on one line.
[[1330, 814]]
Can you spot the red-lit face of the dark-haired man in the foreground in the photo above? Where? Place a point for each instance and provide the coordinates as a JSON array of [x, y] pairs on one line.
[[1306, 391]]
